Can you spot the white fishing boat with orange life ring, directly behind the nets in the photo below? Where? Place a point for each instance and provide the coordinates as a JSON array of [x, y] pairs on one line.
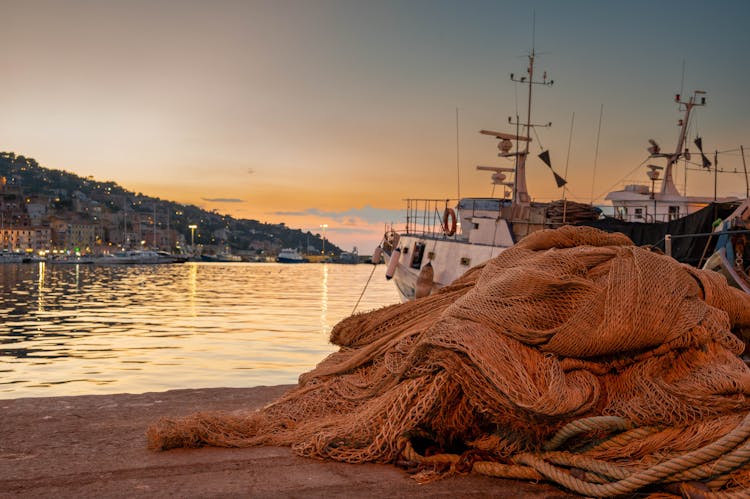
[[442, 238]]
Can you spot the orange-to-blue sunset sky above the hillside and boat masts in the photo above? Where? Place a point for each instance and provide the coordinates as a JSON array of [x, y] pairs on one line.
[[325, 111]]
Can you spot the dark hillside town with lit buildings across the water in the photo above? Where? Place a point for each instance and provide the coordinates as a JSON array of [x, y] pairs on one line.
[[46, 212]]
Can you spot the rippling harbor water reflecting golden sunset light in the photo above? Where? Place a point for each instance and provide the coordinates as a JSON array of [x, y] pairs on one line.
[[89, 329]]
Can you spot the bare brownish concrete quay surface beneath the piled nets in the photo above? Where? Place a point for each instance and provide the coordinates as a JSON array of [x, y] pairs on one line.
[[95, 446]]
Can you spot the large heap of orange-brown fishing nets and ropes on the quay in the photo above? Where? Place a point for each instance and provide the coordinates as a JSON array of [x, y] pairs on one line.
[[573, 357]]
